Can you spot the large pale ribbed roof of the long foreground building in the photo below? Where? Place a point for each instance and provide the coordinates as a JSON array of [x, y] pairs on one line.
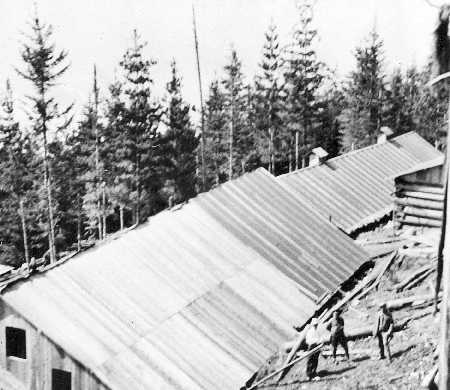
[[199, 296]]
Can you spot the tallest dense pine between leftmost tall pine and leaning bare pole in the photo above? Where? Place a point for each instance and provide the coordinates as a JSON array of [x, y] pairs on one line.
[[142, 116]]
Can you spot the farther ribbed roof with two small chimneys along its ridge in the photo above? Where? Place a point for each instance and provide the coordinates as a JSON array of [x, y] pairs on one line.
[[355, 189]]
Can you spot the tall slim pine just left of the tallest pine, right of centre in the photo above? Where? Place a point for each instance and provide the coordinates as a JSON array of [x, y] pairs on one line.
[[269, 102]]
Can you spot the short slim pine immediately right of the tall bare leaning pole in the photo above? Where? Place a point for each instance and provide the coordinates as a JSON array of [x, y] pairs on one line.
[[216, 136]]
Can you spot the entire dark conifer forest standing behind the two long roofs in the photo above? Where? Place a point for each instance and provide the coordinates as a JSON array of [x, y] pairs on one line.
[[68, 181]]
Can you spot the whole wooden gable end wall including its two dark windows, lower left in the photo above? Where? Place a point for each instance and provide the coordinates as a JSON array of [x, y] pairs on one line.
[[42, 365]]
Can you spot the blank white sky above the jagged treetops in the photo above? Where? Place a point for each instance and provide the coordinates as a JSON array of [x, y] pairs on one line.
[[99, 31]]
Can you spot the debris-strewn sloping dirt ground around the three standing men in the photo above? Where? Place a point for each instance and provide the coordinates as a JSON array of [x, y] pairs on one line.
[[412, 348]]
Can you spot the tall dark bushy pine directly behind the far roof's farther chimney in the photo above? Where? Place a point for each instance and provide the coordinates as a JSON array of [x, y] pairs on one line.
[[365, 96]]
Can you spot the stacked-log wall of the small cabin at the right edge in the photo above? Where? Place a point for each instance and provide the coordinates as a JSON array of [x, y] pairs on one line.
[[419, 198]]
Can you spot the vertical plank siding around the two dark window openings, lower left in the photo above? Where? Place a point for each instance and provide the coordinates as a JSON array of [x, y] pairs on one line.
[[43, 355]]
